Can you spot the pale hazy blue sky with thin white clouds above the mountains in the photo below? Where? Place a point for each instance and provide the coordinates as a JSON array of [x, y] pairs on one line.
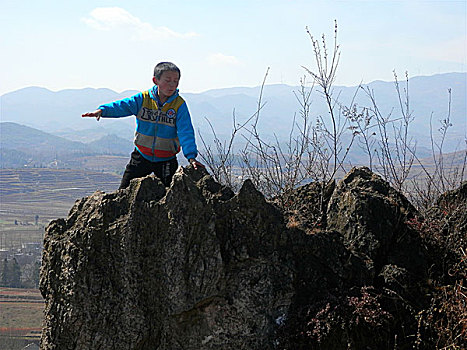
[[115, 44]]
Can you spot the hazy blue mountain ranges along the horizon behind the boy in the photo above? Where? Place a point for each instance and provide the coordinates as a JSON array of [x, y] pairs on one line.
[[57, 115]]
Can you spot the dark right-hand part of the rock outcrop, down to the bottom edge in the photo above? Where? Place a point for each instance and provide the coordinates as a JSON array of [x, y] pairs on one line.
[[373, 268]]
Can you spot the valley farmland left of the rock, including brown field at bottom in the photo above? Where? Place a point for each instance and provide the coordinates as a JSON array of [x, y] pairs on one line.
[[29, 199]]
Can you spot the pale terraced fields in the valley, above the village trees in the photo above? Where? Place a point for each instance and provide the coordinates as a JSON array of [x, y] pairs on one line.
[[30, 198]]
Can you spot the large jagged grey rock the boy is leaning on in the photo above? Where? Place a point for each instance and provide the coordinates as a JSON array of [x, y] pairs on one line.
[[190, 267]]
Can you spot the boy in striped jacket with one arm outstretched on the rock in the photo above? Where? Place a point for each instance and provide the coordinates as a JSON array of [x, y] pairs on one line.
[[163, 124]]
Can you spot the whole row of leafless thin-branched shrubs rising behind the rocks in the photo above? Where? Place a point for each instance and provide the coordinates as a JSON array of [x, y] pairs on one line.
[[317, 147]]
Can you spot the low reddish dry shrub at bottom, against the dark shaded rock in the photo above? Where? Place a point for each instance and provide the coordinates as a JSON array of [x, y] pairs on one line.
[[338, 320]]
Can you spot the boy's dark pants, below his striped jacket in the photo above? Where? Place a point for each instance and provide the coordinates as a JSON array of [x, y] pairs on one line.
[[140, 167]]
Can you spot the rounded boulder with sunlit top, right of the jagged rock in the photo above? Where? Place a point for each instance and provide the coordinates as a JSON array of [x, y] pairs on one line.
[[372, 218]]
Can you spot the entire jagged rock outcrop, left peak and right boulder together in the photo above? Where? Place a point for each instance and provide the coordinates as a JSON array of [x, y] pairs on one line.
[[196, 266]]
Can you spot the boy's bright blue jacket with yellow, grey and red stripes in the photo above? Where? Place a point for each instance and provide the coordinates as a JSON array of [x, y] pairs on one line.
[[159, 130]]
